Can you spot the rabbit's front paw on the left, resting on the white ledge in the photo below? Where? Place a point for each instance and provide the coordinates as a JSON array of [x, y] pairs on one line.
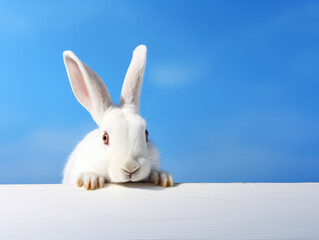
[[90, 181]]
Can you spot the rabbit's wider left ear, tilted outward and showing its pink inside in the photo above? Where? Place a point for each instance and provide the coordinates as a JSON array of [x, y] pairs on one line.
[[87, 86]]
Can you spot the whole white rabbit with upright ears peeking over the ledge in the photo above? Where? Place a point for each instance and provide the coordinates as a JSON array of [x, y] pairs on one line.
[[119, 150]]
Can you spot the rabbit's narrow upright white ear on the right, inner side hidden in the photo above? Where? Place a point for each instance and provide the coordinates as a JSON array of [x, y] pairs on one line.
[[132, 85]]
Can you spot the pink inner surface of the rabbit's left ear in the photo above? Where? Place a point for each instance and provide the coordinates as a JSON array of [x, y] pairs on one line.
[[78, 84]]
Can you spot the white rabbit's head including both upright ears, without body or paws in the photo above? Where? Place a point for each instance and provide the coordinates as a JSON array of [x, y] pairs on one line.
[[120, 149]]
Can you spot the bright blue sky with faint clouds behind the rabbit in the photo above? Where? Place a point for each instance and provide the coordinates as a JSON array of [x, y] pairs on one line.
[[230, 91]]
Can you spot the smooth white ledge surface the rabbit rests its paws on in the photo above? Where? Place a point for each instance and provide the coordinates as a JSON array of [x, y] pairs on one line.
[[140, 211]]
